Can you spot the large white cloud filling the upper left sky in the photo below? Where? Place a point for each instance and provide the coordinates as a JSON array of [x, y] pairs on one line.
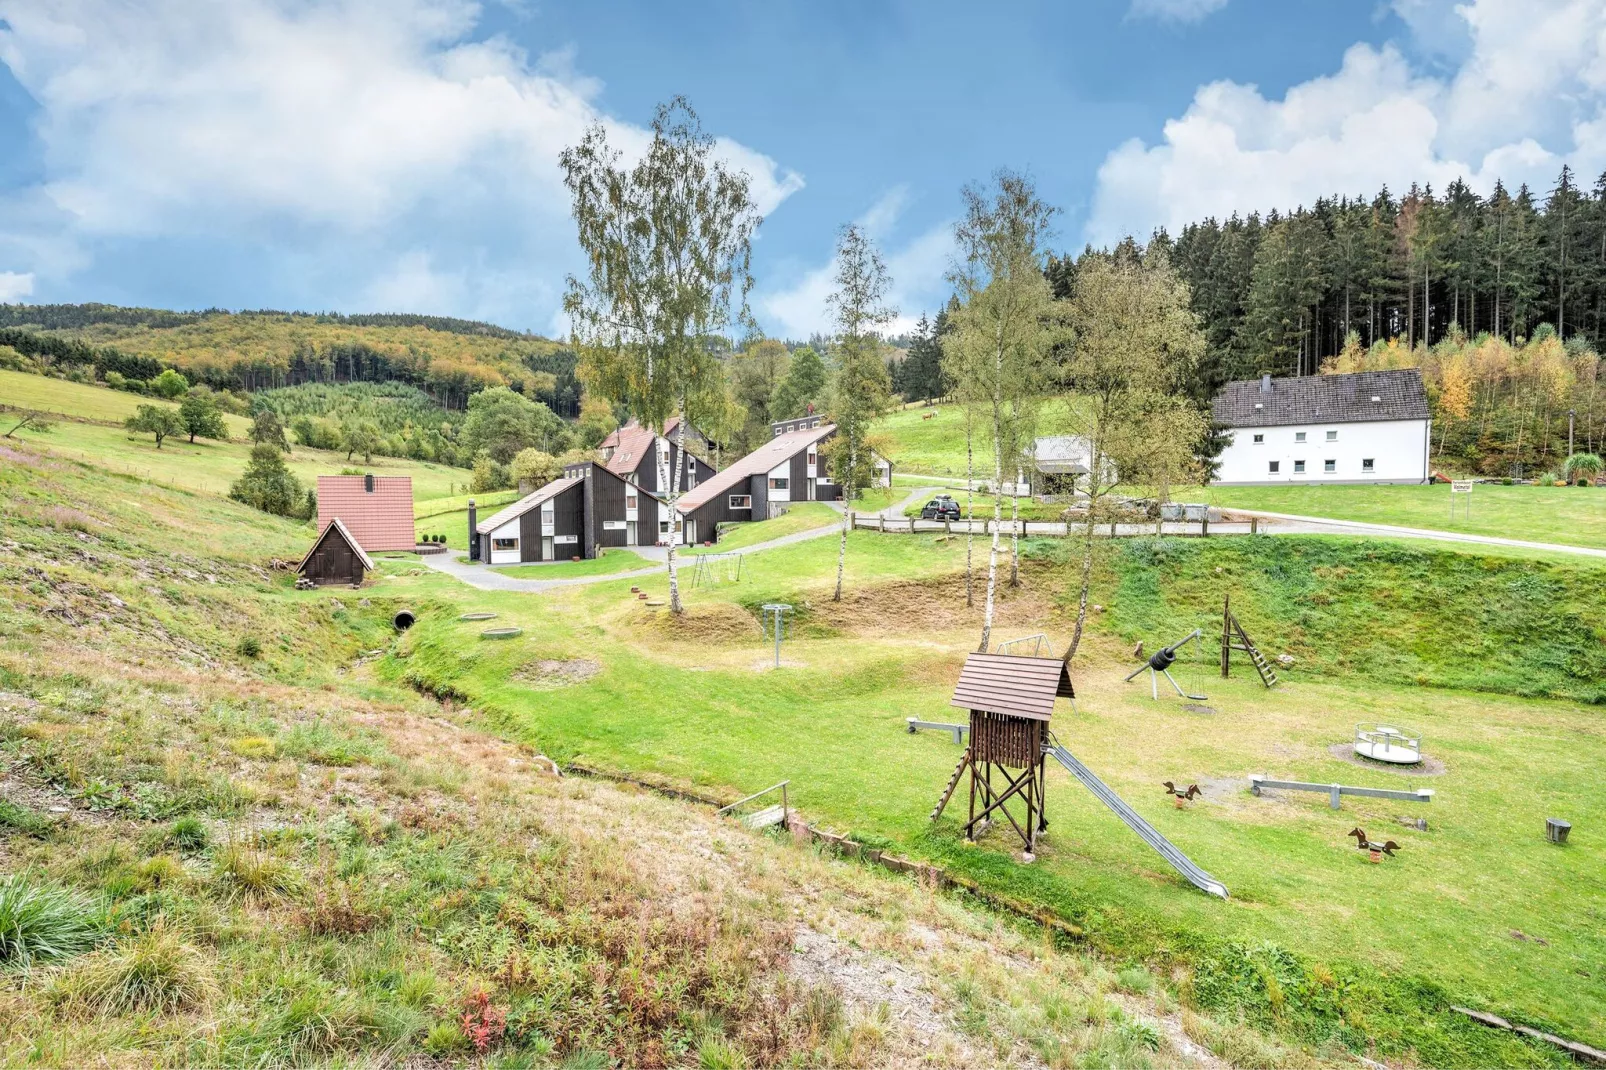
[[348, 134]]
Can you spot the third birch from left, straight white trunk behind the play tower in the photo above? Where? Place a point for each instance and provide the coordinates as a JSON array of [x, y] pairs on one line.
[[1005, 329]]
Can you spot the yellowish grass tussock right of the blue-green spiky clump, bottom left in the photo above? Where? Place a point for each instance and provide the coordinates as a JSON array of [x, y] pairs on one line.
[[155, 971]]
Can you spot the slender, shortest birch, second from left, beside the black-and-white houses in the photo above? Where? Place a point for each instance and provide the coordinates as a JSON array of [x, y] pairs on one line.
[[860, 385]]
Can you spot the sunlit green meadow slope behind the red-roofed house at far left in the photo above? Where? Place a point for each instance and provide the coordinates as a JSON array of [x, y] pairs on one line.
[[203, 467]]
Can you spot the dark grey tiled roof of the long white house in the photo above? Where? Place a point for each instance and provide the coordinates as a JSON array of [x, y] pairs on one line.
[[1350, 399]]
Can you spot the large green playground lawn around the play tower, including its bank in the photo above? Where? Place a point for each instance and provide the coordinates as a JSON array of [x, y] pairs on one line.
[[701, 709]]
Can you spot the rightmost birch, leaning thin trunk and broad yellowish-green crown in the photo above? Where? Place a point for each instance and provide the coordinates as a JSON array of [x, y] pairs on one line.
[[1136, 346]]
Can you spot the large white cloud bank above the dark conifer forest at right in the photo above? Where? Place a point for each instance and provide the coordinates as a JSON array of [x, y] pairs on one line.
[[1530, 92]]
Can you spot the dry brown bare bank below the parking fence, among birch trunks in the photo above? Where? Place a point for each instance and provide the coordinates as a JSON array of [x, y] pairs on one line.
[[935, 605]]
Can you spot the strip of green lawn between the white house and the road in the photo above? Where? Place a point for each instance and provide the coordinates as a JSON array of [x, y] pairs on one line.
[[1573, 517]]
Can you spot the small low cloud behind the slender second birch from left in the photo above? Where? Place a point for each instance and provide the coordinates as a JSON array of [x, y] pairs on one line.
[[916, 269]]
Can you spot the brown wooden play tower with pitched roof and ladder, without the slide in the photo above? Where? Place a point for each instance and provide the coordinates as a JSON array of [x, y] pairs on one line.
[[1011, 701]]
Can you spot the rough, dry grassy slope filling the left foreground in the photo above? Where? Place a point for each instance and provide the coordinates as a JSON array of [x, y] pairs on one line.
[[226, 843]]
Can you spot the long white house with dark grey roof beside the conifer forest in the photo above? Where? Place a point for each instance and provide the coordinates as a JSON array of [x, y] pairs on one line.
[[1363, 428]]
